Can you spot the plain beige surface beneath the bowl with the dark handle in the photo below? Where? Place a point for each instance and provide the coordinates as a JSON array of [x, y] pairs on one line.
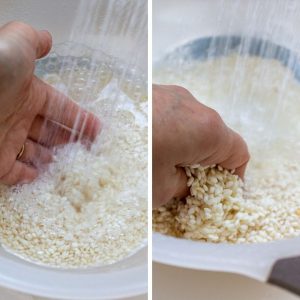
[[171, 283]]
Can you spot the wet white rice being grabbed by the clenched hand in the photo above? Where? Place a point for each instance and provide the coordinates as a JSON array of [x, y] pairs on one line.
[[220, 207]]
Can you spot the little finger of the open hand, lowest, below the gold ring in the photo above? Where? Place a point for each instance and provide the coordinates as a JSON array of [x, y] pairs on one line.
[[19, 173]]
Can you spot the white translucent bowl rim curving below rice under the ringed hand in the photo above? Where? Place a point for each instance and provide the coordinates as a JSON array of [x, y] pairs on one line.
[[123, 279]]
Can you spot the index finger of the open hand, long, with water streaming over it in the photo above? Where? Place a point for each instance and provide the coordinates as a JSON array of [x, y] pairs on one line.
[[61, 109]]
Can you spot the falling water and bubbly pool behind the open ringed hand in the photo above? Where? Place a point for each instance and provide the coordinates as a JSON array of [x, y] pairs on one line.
[[104, 57]]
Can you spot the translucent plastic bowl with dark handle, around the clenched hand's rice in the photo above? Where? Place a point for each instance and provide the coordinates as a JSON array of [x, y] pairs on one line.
[[252, 260]]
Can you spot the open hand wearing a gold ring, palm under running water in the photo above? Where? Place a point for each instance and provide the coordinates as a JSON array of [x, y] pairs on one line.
[[32, 112]]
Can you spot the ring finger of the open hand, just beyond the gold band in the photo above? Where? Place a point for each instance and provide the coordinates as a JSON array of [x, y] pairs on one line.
[[35, 154]]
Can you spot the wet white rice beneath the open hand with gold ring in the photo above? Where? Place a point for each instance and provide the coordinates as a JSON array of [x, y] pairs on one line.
[[90, 207]]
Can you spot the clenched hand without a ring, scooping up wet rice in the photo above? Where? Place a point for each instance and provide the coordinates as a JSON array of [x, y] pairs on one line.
[[186, 132]]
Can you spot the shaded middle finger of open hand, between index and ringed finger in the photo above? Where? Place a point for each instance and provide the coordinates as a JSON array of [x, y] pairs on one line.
[[50, 134]]
